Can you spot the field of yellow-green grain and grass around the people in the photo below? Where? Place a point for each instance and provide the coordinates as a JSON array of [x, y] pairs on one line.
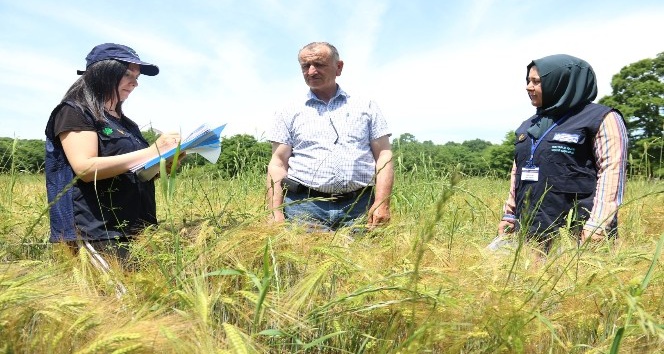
[[213, 277]]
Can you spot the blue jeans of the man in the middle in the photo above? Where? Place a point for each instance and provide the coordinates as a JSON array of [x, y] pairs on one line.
[[326, 215]]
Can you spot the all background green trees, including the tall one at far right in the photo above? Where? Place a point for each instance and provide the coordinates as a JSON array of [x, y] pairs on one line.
[[637, 91]]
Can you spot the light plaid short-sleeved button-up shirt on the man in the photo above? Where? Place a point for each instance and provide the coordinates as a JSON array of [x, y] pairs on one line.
[[330, 141]]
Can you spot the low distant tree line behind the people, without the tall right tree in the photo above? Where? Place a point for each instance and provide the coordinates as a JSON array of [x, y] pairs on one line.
[[243, 153]]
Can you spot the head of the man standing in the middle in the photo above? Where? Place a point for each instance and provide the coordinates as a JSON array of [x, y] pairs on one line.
[[319, 68]]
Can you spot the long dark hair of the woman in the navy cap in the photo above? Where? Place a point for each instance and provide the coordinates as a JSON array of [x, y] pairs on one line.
[[97, 85]]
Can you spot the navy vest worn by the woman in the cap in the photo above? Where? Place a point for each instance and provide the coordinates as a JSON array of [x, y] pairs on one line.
[[114, 207]]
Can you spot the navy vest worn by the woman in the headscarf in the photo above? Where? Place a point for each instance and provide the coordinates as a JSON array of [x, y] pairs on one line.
[[567, 172]]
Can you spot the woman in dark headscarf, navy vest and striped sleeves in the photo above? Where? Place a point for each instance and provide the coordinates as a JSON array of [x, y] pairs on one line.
[[570, 157]]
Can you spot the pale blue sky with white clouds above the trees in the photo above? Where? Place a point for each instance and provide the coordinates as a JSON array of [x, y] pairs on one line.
[[440, 70]]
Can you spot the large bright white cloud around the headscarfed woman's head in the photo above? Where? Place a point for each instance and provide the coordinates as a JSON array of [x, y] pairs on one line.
[[478, 89]]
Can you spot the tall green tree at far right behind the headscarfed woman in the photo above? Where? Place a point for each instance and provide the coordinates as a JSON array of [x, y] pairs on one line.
[[638, 92]]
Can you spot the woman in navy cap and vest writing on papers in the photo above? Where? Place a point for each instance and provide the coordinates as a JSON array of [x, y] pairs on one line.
[[96, 202]]
